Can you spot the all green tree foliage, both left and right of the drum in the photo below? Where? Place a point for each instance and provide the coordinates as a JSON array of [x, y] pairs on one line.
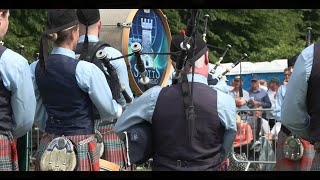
[[264, 34]]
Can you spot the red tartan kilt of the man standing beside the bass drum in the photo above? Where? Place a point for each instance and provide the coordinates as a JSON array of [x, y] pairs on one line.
[[114, 147]]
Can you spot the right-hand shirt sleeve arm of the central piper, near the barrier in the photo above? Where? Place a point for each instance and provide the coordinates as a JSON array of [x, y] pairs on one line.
[[227, 113]]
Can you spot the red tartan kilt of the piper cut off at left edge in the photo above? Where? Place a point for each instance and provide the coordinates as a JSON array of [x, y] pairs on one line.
[[8, 153]]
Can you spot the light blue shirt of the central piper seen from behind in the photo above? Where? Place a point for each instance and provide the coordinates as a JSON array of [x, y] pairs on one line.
[[143, 107]]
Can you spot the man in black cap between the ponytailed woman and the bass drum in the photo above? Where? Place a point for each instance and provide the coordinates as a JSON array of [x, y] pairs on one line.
[[88, 45]]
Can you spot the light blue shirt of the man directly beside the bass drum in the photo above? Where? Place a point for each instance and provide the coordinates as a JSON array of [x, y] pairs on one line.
[[119, 65]]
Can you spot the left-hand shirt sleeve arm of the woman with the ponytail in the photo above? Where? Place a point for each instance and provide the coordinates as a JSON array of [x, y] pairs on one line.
[[41, 115]]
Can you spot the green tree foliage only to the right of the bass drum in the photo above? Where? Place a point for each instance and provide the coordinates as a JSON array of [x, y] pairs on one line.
[[264, 34]]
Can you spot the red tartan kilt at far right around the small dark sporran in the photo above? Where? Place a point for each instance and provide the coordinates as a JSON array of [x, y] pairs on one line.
[[283, 164]]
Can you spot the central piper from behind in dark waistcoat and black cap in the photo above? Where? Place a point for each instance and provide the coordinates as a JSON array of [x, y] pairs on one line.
[[190, 132]]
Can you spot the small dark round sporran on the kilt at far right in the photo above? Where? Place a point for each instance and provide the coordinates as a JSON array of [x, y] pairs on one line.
[[293, 148]]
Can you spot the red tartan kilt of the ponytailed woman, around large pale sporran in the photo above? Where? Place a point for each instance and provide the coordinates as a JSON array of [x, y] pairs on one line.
[[86, 160]]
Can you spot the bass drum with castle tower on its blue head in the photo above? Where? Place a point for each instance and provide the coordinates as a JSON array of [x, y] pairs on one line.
[[149, 27]]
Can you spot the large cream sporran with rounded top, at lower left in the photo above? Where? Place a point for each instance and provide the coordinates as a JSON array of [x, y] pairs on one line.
[[59, 156]]
